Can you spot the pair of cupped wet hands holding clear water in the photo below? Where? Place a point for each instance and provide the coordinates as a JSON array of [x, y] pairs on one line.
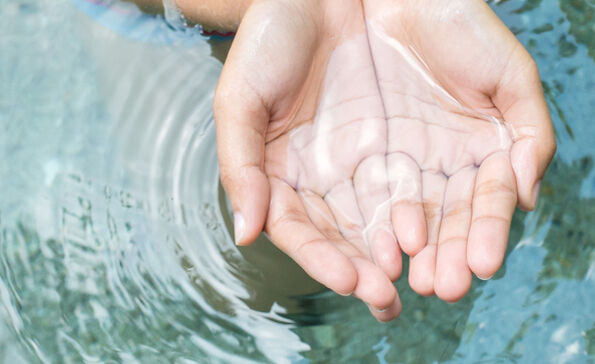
[[351, 130]]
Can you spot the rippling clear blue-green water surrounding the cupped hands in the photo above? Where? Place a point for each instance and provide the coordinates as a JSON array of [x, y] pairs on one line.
[[114, 232]]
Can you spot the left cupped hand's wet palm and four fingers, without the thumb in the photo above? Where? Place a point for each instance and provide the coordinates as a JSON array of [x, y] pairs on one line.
[[325, 121]]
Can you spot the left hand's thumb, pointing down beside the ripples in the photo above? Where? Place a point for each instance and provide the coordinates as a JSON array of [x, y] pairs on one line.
[[241, 121]]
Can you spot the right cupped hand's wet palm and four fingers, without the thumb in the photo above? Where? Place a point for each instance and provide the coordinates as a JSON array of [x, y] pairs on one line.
[[448, 153]]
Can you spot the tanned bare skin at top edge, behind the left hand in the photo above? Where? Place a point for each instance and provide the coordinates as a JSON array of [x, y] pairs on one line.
[[222, 15]]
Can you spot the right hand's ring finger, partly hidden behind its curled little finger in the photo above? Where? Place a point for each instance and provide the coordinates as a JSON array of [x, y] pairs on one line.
[[423, 265]]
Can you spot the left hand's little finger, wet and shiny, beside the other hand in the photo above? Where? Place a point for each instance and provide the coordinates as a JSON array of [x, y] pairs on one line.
[[371, 188]]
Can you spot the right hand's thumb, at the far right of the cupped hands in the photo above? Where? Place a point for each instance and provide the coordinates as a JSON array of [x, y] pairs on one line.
[[520, 99]]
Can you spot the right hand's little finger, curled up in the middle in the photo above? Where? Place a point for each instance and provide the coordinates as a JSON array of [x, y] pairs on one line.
[[407, 212]]
